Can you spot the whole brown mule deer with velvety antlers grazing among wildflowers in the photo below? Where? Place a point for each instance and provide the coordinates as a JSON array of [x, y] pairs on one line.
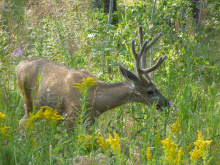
[[55, 89]]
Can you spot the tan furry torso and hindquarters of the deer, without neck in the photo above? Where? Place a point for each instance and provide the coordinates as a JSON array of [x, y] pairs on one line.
[[49, 84]]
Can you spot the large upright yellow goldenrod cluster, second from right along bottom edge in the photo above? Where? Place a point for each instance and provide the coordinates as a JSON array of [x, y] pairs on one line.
[[169, 148]]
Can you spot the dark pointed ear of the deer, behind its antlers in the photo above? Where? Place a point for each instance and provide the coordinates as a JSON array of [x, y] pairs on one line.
[[128, 75]]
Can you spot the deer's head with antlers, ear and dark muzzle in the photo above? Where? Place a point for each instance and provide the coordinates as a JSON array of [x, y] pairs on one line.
[[145, 91]]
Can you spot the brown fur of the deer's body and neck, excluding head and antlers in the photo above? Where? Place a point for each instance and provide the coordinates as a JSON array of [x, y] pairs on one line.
[[50, 84]]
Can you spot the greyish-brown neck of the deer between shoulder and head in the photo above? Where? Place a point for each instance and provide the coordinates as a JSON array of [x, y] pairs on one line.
[[108, 96]]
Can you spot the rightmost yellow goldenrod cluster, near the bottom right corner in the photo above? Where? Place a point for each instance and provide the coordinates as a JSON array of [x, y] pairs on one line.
[[201, 147]]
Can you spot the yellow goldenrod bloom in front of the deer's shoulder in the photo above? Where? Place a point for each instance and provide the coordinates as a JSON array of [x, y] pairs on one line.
[[86, 84]]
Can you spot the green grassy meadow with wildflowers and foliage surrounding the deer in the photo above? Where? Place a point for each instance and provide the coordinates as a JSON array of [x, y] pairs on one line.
[[70, 33]]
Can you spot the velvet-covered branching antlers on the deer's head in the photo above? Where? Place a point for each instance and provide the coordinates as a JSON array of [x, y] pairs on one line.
[[141, 68]]
